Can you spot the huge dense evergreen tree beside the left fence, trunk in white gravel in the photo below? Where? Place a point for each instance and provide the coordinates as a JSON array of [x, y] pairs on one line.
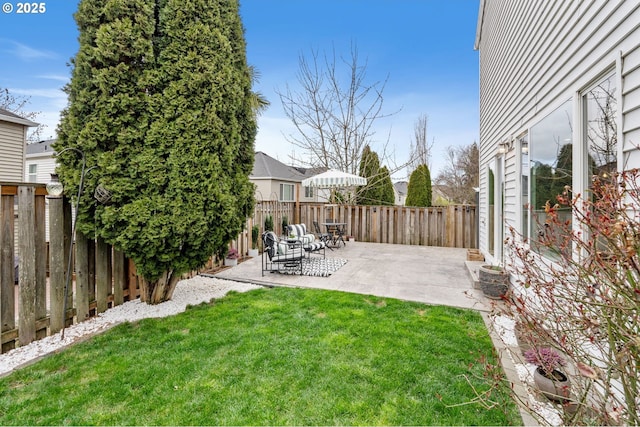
[[161, 102]]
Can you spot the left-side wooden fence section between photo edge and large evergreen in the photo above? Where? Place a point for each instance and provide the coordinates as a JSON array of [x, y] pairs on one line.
[[32, 304]]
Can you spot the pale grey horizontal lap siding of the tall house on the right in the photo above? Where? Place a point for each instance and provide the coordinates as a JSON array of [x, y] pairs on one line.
[[534, 56]]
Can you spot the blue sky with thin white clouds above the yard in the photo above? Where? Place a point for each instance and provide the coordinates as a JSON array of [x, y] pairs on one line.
[[424, 47]]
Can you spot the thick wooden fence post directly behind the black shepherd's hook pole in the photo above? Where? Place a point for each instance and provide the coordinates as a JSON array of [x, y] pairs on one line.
[[56, 262]]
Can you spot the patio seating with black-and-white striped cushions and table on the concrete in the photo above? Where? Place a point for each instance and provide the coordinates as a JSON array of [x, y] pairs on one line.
[[288, 253]]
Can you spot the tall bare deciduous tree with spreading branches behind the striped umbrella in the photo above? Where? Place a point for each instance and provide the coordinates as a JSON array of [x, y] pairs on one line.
[[334, 112]]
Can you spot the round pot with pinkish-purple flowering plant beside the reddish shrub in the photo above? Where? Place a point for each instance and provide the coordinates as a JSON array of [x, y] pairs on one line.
[[553, 383]]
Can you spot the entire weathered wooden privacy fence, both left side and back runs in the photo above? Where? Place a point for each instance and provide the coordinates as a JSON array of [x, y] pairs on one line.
[[33, 302]]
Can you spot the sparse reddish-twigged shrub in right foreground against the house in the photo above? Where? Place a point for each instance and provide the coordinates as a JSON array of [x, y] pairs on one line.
[[578, 290]]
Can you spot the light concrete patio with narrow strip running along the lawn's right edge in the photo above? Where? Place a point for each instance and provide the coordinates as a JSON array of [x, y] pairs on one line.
[[431, 275]]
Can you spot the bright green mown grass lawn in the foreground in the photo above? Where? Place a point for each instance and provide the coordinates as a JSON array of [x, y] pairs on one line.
[[268, 357]]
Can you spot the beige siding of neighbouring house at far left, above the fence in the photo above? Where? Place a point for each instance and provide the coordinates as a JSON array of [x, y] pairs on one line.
[[12, 146]]
